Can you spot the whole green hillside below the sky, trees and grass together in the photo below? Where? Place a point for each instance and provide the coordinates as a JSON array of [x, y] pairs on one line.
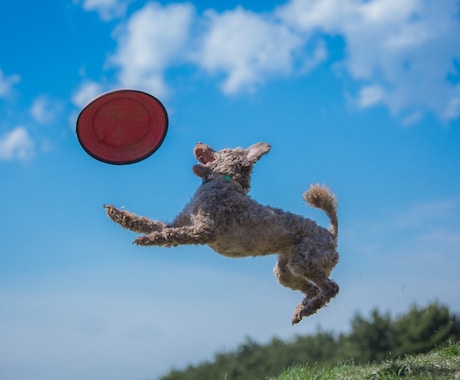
[[391, 342]]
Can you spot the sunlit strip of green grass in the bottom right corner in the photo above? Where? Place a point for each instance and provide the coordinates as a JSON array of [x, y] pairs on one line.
[[443, 363]]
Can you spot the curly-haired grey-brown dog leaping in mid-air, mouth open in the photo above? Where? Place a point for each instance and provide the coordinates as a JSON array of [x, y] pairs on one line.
[[224, 217]]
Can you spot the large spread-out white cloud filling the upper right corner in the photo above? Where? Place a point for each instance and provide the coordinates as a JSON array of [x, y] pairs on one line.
[[406, 48]]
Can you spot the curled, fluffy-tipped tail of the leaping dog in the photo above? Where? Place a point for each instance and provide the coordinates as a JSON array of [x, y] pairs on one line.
[[321, 197]]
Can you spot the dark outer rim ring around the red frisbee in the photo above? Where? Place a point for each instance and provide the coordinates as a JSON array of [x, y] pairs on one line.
[[127, 161]]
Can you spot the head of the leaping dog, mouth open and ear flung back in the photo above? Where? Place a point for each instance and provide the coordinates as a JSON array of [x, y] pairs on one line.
[[235, 163]]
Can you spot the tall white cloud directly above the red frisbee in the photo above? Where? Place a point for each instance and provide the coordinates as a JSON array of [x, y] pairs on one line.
[[153, 39]]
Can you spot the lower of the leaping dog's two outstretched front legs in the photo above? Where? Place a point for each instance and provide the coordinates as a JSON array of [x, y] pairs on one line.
[[173, 236]]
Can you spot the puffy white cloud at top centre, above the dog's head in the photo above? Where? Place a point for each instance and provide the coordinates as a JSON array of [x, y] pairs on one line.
[[247, 47]]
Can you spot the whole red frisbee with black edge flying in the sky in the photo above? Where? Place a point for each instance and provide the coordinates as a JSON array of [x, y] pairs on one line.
[[122, 126]]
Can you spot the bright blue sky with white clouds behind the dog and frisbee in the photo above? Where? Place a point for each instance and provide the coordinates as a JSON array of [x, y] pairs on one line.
[[361, 95]]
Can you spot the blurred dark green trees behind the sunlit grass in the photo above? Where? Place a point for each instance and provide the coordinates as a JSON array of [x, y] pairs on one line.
[[372, 339]]
